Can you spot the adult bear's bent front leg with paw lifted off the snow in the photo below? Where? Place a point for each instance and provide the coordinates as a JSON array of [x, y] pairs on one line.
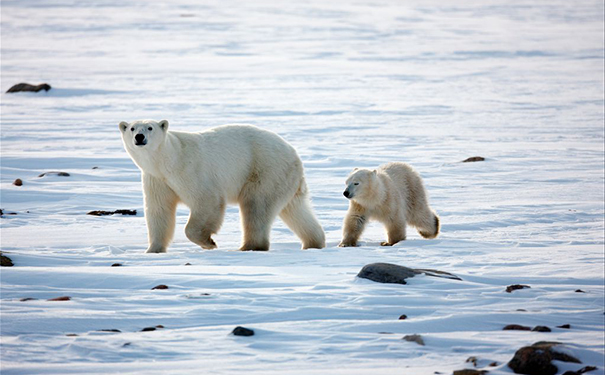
[[205, 221]]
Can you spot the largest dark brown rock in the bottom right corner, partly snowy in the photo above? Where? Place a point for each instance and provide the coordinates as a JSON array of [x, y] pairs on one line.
[[536, 359]]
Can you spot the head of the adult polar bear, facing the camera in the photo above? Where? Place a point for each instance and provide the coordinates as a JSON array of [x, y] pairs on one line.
[[143, 134]]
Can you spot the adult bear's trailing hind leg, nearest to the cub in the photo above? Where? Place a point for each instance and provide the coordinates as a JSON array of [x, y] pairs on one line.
[[299, 217]]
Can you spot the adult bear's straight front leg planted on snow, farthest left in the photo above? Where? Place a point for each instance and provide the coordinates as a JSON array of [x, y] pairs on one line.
[[160, 213]]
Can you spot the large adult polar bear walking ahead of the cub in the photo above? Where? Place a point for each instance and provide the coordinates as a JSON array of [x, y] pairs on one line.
[[207, 170]]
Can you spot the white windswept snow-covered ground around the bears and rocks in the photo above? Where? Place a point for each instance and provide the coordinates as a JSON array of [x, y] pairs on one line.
[[348, 84]]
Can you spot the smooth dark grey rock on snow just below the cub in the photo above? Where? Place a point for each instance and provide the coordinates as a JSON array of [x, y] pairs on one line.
[[395, 274]]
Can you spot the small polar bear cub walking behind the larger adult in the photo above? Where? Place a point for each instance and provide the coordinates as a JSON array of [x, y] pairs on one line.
[[394, 195]]
